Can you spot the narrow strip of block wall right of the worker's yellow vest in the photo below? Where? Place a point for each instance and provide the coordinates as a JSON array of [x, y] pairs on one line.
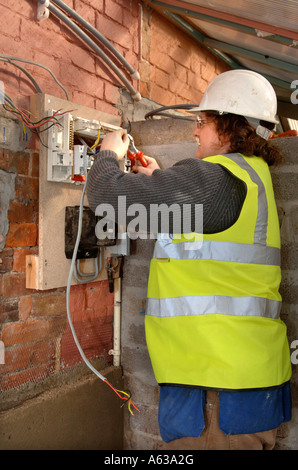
[[285, 187]]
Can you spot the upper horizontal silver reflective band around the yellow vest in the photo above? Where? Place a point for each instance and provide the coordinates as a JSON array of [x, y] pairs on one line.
[[217, 250]]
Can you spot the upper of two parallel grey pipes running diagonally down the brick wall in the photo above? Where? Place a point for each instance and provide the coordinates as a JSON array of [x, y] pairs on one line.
[[134, 73]]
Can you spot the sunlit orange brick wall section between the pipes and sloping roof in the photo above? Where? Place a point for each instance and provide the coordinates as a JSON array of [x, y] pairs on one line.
[[174, 68]]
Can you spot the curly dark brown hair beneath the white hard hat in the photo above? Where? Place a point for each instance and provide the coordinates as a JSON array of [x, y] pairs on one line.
[[243, 138]]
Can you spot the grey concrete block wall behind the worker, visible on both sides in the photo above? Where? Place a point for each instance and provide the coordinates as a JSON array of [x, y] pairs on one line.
[[173, 142]]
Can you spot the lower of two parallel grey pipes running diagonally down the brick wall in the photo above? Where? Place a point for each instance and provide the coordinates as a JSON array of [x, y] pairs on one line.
[[135, 94]]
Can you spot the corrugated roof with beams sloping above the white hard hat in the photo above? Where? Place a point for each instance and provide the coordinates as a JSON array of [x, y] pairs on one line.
[[259, 35]]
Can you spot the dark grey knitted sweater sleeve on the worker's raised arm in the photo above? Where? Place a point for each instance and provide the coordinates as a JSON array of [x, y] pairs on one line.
[[190, 181]]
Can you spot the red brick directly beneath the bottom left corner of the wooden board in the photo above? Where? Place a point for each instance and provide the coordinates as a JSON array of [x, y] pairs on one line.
[[49, 304]]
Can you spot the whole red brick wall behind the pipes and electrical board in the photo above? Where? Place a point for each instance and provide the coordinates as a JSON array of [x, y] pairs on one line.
[[173, 70]]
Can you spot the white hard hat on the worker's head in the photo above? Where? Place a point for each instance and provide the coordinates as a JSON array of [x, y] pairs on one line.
[[241, 92]]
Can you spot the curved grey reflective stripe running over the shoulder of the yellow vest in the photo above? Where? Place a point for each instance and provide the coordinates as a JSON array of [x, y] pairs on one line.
[[262, 217]]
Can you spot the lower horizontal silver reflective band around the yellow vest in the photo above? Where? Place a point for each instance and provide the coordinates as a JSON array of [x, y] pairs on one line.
[[213, 304]]
